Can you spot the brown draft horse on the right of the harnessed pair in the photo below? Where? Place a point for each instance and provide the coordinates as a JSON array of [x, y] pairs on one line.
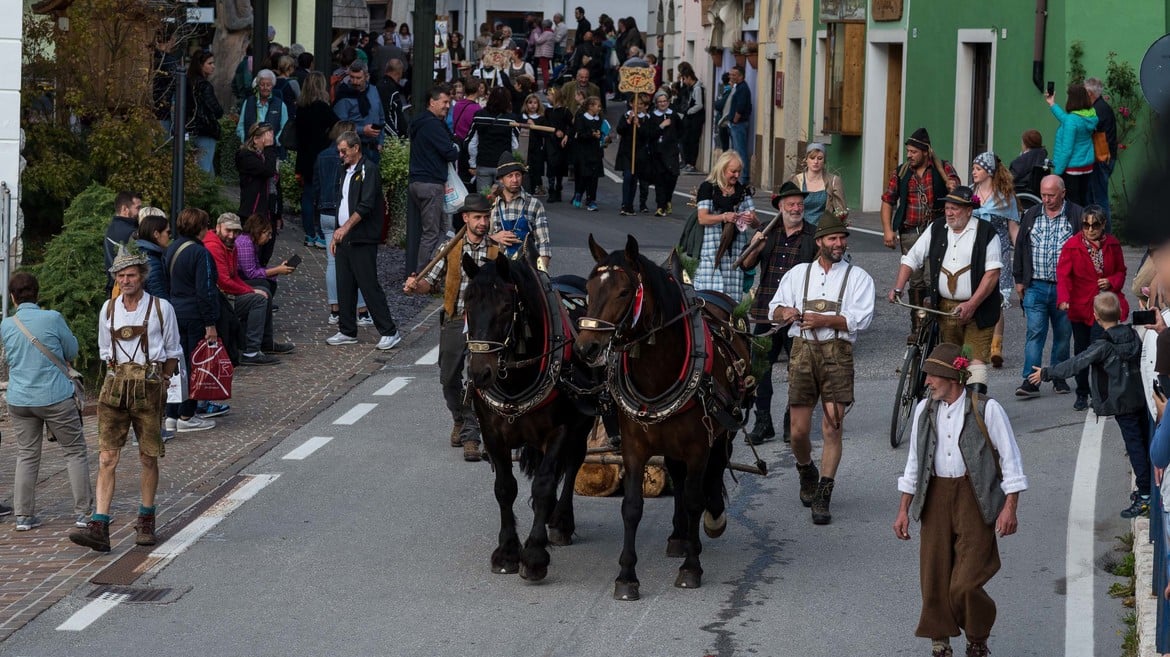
[[678, 372]]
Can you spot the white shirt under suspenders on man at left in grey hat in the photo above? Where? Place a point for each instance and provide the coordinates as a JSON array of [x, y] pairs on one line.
[[164, 340]]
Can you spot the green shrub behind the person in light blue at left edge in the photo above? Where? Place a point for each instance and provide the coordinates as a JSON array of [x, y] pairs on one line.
[[73, 276]]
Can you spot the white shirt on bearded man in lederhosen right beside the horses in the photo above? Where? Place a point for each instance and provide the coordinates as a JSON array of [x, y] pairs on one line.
[[857, 305]]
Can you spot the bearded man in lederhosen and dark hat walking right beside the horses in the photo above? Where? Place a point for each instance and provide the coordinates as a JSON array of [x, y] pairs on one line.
[[829, 302]]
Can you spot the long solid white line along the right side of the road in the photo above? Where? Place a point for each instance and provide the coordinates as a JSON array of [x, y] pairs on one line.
[[1079, 565]]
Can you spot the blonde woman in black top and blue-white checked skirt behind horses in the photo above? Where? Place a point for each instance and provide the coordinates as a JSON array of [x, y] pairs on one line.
[[726, 212]]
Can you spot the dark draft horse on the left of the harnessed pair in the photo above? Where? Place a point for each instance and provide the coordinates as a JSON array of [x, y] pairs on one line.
[[520, 343]]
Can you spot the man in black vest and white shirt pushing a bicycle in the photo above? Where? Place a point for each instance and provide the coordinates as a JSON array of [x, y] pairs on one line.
[[963, 259]]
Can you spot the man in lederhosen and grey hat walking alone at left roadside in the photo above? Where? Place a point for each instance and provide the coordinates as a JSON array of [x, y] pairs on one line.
[[139, 340]]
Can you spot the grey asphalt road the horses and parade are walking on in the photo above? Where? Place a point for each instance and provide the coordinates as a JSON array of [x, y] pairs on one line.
[[377, 543]]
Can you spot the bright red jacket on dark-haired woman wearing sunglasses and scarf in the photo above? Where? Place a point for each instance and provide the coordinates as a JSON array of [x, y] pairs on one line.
[[1077, 280]]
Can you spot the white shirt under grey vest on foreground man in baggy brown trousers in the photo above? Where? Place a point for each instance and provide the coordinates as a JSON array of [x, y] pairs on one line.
[[949, 460]]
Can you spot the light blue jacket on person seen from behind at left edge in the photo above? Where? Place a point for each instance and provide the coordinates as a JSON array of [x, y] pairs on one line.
[[33, 381]]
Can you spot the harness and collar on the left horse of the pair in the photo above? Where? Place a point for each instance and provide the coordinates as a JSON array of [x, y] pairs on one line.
[[552, 361]]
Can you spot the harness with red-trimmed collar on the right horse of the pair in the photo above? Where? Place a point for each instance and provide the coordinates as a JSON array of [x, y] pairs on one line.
[[697, 383]]
